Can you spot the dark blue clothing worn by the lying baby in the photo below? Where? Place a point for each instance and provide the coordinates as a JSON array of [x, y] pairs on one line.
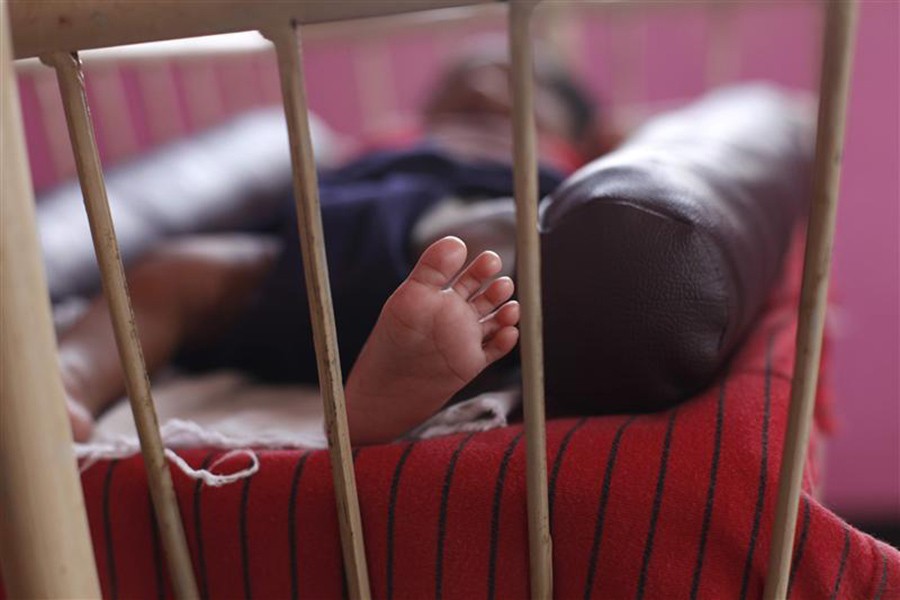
[[368, 211]]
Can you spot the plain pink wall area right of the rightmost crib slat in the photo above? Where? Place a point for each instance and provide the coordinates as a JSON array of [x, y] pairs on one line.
[[864, 460]]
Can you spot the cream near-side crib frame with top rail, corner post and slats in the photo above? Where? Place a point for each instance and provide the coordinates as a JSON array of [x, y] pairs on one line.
[[45, 547]]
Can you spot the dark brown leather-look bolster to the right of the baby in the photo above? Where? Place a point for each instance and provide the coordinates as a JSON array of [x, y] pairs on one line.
[[658, 256]]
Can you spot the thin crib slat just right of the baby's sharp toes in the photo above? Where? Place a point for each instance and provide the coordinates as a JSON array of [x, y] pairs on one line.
[[529, 292]]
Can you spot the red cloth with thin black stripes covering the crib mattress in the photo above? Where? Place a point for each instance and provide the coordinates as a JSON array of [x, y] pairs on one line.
[[671, 505]]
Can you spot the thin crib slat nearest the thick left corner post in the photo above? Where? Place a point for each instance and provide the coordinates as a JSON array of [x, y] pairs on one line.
[[71, 84]]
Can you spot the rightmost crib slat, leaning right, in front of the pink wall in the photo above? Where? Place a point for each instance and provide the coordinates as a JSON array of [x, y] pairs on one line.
[[833, 97]]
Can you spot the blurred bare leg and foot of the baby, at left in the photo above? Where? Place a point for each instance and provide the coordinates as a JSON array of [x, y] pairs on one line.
[[182, 295]]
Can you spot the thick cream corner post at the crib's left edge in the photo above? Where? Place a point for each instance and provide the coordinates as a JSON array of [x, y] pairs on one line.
[[45, 544]]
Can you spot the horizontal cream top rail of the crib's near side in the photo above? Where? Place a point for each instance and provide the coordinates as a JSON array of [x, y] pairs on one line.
[[70, 25]]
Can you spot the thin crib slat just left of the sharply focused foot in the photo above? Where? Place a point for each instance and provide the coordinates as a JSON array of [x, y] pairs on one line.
[[312, 240]]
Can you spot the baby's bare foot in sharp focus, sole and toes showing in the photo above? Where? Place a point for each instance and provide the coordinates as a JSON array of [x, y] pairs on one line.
[[438, 330]]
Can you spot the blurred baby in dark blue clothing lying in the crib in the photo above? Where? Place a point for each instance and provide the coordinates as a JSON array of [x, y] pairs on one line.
[[240, 301]]
